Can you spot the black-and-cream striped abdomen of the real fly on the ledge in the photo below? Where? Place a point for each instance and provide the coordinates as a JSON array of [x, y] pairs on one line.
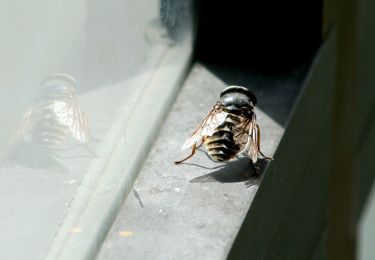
[[221, 145]]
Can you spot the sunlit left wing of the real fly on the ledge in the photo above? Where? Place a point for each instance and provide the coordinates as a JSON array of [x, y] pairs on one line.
[[206, 128]]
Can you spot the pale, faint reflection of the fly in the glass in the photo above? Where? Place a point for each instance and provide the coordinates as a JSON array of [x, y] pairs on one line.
[[55, 118]]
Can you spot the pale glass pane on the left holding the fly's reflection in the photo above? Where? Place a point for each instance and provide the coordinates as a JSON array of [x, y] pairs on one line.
[[70, 71]]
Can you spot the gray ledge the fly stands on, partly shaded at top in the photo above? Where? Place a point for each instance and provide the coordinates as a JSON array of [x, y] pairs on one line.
[[195, 210]]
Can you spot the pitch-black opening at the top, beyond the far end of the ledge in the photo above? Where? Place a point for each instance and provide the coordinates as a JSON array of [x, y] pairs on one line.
[[268, 37]]
